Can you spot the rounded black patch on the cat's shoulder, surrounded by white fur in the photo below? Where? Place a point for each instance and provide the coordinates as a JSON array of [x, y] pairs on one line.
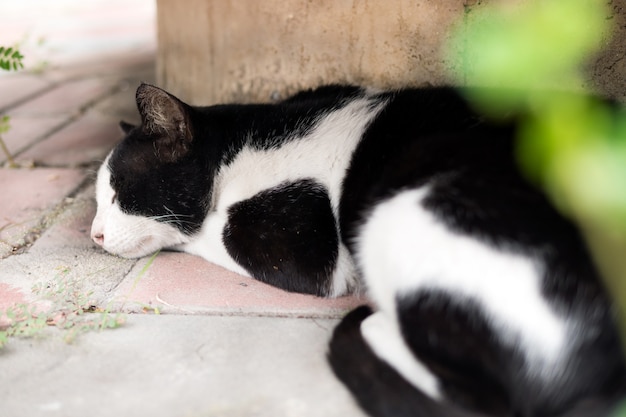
[[286, 236]]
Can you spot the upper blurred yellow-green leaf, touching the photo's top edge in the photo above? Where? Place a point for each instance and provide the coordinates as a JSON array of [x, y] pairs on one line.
[[526, 49]]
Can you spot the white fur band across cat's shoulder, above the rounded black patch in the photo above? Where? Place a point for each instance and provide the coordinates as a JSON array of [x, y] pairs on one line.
[[324, 155]]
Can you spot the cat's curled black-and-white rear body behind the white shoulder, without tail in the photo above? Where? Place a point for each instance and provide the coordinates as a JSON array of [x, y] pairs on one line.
[[490, 284]]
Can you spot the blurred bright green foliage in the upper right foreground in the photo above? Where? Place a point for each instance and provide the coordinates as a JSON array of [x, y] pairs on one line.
[[572, 144]]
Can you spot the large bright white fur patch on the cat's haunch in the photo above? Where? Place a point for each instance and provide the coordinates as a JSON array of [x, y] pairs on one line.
[[404, 248]]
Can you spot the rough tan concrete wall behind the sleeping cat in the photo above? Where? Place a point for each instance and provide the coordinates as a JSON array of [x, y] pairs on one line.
[[248, 50]]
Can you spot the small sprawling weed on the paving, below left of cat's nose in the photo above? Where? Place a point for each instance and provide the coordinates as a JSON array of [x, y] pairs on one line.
[[61, 304]]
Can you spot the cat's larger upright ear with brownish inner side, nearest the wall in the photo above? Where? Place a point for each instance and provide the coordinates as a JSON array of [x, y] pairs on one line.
[[166, 118]]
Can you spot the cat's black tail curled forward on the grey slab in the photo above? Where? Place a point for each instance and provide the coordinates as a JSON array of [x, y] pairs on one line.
[[377, 387]]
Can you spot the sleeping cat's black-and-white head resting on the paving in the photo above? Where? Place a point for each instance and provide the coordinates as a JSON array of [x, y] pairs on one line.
[[152, 190]]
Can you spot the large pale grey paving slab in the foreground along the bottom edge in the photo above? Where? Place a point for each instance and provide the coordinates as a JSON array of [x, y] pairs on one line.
[[171, 366]]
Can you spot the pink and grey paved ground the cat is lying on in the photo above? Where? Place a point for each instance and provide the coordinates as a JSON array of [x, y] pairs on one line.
[[221, 345]]
